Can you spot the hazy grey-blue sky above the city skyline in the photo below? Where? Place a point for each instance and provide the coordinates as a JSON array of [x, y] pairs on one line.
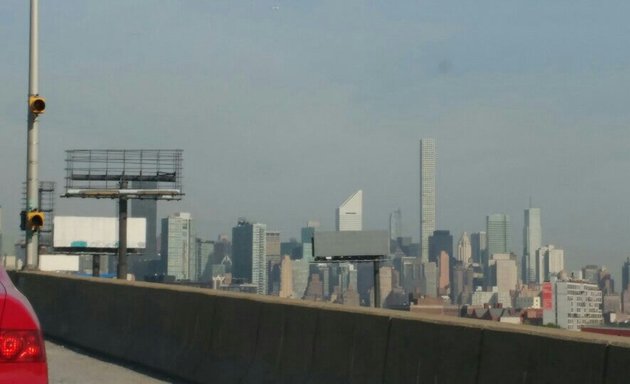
[[284, 108]]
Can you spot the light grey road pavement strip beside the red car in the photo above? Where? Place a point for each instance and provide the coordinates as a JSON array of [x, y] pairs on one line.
[[68, 365]]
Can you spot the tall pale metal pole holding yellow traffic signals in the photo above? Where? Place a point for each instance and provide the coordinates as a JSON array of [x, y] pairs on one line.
[[32, 157]]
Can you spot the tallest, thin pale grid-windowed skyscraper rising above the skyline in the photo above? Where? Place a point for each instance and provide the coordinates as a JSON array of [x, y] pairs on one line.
[[427, 195]]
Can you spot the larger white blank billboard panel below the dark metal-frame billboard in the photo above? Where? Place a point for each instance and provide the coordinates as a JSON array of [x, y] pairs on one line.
[[97, 232]]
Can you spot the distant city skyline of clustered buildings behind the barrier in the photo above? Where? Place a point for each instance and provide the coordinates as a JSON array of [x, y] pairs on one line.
[[476, 274]]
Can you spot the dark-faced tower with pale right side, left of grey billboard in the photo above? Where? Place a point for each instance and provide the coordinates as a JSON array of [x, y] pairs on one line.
[[249, 261]]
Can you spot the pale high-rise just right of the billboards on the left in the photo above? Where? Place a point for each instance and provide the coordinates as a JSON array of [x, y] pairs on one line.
[[178, 246]]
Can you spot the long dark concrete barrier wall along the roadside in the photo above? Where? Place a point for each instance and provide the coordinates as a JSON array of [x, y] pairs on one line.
[[205, 336]]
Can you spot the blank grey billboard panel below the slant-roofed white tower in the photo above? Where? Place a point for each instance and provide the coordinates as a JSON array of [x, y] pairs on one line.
[[349, 244]]
